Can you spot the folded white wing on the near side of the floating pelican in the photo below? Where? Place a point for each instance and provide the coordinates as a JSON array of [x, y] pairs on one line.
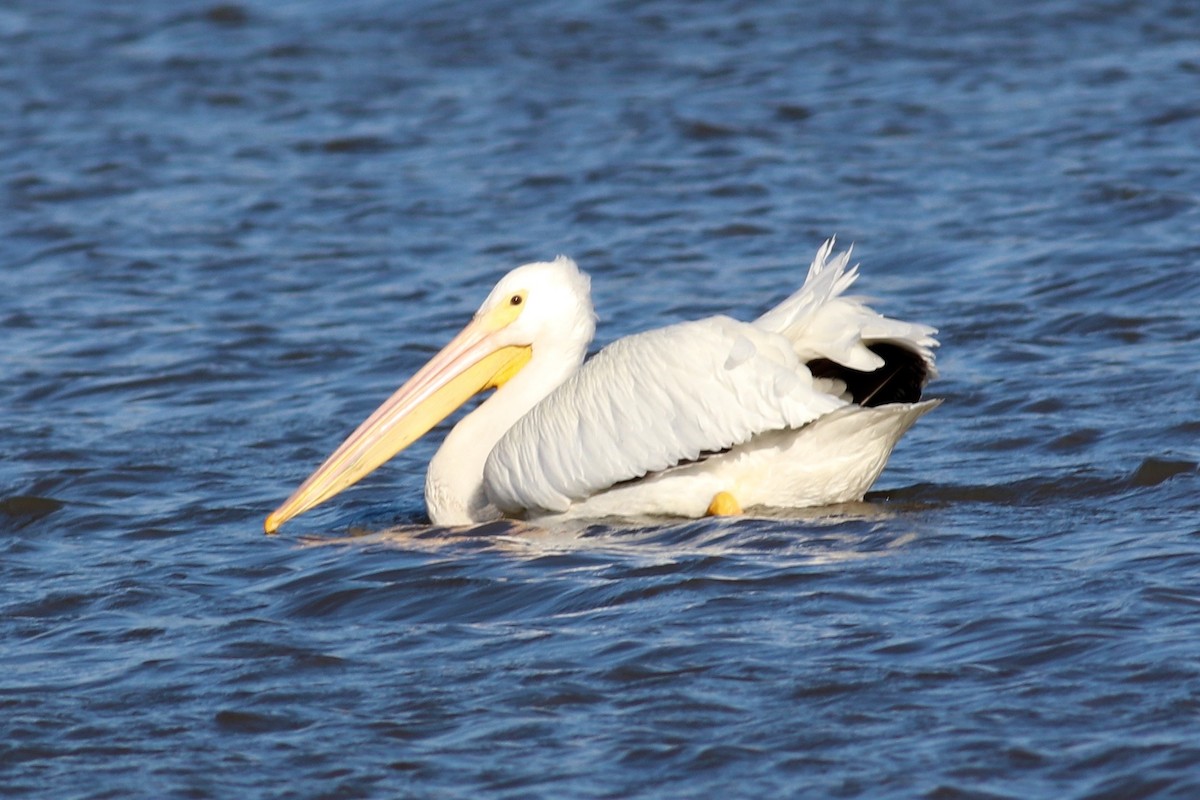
[[649, 402]]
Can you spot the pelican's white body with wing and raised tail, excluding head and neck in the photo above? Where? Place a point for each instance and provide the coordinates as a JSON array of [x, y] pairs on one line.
[[659, 423]]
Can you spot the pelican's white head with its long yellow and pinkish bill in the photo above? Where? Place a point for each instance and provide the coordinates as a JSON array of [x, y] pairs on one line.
[[535, 310]]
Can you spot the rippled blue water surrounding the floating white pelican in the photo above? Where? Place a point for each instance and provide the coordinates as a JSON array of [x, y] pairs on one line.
[[230, 231]]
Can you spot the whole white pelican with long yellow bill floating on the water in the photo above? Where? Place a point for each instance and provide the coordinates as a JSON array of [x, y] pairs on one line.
[[800, 408]]
